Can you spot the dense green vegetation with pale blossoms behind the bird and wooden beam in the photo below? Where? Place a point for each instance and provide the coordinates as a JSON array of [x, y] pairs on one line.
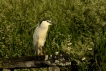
[[80, 30]]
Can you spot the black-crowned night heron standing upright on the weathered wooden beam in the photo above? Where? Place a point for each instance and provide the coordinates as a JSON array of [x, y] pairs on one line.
[[39, 36]]
